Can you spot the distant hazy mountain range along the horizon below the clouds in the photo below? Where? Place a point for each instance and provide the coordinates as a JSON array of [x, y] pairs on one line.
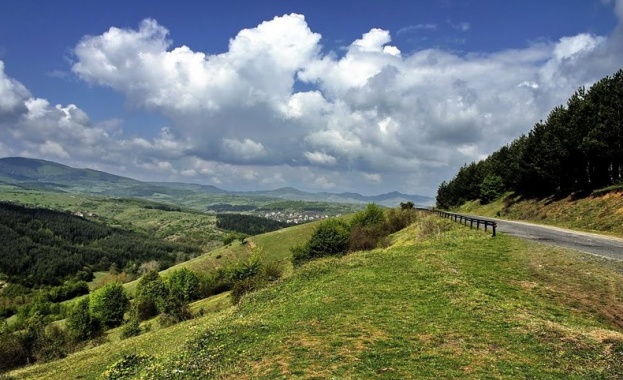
[[37, 174]]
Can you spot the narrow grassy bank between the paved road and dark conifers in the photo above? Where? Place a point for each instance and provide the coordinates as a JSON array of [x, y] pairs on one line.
[[595, 213]]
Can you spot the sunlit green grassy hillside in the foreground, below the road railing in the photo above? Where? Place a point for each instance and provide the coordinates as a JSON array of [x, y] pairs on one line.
[[442, 302]]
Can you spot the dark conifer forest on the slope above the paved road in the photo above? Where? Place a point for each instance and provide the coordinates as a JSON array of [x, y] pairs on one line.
[[577, 149]]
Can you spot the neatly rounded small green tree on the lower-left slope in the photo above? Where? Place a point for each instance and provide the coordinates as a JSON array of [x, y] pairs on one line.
[[109, 304]]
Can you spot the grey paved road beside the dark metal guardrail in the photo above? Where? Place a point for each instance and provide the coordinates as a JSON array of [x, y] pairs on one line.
[[595, 244]]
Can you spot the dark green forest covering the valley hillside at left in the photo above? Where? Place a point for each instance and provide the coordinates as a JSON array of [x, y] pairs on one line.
[[45, 247]]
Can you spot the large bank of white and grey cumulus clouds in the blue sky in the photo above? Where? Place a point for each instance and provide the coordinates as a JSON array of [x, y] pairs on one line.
[[276, 109]]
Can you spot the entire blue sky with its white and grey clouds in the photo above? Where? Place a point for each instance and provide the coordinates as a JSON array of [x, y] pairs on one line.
[[364, 96]]
